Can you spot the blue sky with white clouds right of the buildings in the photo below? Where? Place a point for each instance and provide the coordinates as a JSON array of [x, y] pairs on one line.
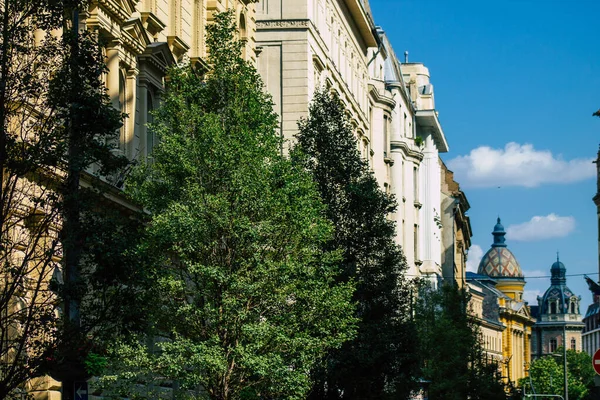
[[516, 83]]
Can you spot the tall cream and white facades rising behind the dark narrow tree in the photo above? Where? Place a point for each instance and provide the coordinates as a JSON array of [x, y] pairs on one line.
[[307, 44]]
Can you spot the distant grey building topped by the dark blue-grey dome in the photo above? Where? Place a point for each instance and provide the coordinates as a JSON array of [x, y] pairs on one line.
[[559, 321]]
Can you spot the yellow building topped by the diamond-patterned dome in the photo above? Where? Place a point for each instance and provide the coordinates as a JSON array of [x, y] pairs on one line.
[[500, 264]]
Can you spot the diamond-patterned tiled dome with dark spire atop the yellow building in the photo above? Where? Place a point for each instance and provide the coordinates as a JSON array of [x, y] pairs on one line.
[[499, 261]]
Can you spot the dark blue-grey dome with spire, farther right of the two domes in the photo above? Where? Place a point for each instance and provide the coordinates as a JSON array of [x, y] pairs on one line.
[[558, 299]]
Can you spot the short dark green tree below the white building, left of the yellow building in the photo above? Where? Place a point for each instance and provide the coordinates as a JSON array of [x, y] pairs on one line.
[[452, 358]]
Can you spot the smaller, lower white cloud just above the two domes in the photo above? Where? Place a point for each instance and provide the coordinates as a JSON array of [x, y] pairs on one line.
[[541, 227]]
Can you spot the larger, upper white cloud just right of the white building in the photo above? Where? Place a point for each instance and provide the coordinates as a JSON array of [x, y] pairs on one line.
[[518, 165]]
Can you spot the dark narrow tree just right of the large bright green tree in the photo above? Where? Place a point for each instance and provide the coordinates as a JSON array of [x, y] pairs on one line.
[[380, 362]]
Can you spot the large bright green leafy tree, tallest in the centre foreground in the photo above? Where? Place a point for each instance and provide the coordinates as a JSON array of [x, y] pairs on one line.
[[247, 300]]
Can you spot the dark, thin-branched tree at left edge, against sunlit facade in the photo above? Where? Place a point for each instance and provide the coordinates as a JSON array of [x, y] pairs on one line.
[[56, 123]]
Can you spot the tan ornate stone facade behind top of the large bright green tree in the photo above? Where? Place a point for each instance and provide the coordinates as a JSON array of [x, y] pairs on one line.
[[142, 38]]
